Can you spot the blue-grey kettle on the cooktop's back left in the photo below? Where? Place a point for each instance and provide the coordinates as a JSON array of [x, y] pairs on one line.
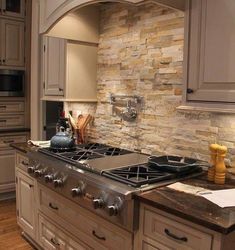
[[62, 141]]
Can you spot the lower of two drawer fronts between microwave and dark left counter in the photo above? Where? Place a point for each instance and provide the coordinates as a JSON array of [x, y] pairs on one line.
[[12, 121]]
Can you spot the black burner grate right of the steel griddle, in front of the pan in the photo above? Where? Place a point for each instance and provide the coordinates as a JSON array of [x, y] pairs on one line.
[[138, 175]]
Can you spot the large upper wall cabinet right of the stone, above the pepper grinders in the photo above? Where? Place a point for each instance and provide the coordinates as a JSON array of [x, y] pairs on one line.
[[210, 50]]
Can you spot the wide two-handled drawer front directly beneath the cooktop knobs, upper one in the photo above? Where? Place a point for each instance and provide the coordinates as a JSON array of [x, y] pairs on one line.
[[106, 234]]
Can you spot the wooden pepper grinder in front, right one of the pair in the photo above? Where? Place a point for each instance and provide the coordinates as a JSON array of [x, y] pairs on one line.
[[220, 168]]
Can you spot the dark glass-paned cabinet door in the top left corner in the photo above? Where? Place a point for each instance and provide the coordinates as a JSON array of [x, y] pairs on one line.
[[13, 8]]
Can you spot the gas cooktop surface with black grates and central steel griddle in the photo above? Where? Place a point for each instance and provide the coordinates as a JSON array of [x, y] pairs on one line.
[[118, 164]]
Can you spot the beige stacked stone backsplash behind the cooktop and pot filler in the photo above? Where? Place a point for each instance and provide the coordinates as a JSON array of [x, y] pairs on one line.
[[141, 52]]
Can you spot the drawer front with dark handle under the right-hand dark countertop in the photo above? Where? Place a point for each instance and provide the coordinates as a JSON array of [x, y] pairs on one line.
[[174, 234]]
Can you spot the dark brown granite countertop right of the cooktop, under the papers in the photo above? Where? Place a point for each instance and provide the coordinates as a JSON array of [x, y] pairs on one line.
[[196, 209]]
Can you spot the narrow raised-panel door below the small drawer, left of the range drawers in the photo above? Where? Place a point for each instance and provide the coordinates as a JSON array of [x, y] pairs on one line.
[[25, 203]]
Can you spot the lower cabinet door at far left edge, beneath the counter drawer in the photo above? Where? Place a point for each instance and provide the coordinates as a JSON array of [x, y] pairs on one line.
[[7, 171]]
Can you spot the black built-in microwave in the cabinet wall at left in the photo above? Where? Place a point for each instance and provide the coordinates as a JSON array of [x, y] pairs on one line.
[[12, 82]]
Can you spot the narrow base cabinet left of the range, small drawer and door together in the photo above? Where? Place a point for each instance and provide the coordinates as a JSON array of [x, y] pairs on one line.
[[25, 196]]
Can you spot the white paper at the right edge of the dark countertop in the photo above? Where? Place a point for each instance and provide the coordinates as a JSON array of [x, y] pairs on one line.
[[222, 198]]
